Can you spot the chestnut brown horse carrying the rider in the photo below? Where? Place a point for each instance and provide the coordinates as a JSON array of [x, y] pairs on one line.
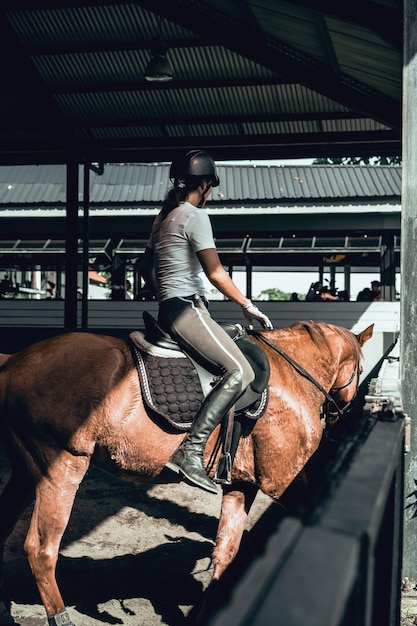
[[76, 398]]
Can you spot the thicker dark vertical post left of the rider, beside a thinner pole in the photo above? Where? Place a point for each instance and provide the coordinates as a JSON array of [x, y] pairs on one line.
[[71, 247]]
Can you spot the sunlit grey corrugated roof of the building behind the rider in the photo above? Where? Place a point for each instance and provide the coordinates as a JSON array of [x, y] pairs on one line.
[[130, 184]]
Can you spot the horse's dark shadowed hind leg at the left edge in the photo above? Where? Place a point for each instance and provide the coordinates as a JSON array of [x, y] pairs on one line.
[[15, 497]]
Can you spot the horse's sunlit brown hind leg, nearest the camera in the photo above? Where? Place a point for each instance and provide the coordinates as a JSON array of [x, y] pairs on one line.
[[54, 499]]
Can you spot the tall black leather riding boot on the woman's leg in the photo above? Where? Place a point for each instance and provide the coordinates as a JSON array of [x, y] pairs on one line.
[[188, 459]]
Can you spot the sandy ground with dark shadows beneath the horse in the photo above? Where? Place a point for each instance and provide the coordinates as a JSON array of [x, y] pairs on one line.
[[131, 555]]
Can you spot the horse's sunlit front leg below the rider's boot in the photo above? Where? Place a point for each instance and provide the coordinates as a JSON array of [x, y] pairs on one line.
[[236, 504]]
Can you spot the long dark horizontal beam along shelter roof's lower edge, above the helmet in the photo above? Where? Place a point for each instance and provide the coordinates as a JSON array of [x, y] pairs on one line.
[[312, 145]]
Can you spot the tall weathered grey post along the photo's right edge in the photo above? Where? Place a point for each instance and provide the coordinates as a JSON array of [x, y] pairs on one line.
[[408, 349]]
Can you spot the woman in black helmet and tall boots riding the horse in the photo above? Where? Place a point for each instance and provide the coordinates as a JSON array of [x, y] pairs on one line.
[[181, 244]]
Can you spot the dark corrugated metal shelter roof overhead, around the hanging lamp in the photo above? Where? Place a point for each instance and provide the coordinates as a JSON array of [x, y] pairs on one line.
[[257, 78]]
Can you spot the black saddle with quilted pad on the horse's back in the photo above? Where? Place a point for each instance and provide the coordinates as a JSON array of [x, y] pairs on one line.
[[174, 385]]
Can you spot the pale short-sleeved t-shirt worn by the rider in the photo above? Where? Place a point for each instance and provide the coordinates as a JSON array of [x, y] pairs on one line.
[[175, 241]]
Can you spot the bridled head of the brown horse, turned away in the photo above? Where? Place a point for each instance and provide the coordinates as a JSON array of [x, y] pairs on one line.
[[345, 385]]
